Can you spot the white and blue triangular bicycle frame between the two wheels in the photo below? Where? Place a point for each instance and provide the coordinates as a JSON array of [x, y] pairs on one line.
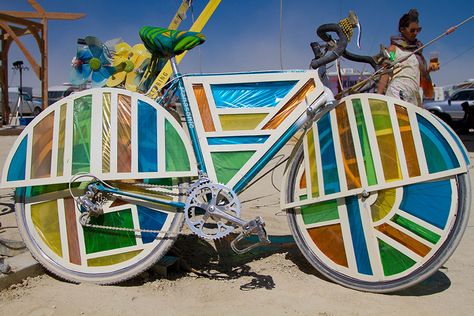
[[309, 101]]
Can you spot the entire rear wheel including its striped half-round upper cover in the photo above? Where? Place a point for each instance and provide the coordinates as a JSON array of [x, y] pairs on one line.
[[113, 134]]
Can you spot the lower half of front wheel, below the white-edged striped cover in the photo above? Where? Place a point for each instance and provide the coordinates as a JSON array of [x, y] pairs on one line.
[[385, 240]]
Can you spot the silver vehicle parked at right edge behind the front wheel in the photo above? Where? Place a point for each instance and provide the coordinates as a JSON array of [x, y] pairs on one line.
[[451, 110]]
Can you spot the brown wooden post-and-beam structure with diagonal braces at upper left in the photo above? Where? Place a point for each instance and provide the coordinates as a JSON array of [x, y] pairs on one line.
[[13, 25]]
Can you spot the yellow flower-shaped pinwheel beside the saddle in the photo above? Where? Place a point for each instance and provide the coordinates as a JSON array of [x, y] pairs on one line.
[[130, 64]]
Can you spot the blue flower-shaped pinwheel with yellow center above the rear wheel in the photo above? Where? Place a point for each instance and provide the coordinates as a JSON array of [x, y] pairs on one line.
[[94, 58]]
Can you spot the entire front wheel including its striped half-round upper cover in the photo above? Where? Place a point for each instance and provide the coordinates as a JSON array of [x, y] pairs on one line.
[[379, 196]]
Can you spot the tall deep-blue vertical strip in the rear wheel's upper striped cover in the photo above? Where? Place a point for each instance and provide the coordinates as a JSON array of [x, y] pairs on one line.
[[147, 138]]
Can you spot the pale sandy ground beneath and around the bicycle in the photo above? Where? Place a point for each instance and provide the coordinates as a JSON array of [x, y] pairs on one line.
[[276, 280]]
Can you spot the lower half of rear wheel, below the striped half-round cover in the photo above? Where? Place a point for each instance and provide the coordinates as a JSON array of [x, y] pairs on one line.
[[48, 221]]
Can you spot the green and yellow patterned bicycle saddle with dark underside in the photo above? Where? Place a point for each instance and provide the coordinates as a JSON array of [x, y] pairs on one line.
[[166, 43]]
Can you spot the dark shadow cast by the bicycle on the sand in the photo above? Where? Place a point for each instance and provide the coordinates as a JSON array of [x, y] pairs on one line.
[[216, 261]]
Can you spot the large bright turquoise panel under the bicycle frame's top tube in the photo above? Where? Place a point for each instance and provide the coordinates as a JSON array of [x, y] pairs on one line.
[[250, 95]]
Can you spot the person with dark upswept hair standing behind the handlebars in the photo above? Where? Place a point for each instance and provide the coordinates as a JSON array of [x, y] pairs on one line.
[[405, 81]]
